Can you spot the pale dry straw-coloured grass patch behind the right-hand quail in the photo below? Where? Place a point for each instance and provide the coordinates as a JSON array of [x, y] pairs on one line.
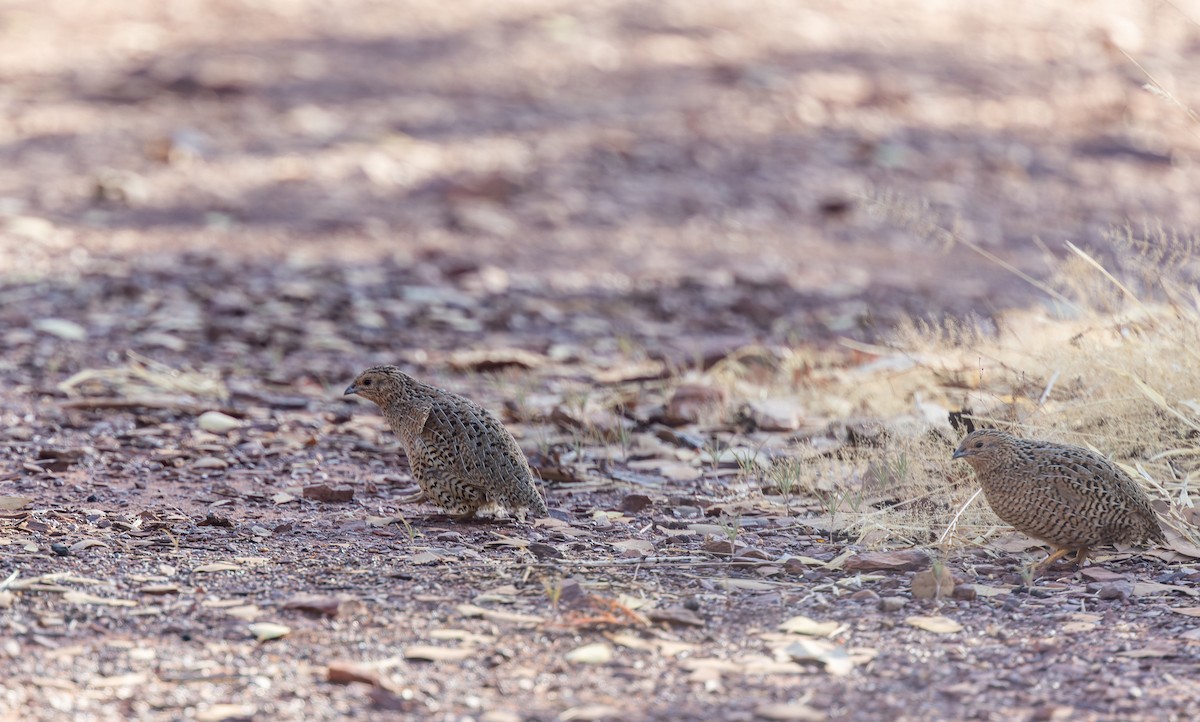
[[1111, 363]]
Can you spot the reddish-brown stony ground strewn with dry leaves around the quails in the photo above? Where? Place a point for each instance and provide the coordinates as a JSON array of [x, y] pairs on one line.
[[607, 221]]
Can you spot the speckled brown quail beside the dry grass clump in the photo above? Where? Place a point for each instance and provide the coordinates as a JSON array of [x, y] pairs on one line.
[[1065, 496]]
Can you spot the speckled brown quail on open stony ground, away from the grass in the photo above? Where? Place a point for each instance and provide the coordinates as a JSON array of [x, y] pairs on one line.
[[461, 456]]
